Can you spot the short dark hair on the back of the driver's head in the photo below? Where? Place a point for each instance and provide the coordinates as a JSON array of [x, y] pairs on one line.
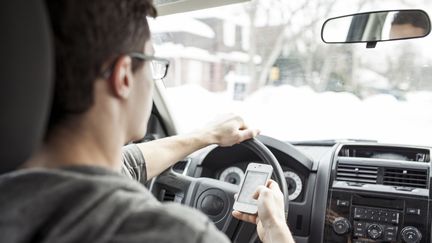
[[90, 35]]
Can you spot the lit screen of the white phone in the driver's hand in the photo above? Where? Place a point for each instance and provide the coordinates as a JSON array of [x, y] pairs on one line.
[[252, 180]]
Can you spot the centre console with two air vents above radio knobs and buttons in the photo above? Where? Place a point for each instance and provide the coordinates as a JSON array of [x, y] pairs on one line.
[[377, 198]]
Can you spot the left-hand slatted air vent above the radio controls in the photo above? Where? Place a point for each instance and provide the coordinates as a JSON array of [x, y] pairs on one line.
[[357, 173]]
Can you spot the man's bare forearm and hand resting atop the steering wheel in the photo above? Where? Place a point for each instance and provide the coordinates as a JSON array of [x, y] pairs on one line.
[[163, 153]]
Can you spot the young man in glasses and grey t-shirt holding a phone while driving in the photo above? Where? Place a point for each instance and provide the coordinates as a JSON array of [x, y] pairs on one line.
[[71, 190]]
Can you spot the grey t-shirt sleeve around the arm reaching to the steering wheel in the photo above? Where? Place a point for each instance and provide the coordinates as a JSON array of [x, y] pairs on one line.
[[134, 165]]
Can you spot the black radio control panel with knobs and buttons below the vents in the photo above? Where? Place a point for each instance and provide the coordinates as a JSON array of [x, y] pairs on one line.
[[366, 218]]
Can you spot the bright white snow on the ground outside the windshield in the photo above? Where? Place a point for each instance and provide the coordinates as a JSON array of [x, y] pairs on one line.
[[298, 113]]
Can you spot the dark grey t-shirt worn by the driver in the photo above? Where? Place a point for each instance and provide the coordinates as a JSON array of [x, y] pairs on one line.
[[92, 204]]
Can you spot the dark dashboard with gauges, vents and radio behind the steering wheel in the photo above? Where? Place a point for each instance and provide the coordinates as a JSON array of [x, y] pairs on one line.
[[339, 192]]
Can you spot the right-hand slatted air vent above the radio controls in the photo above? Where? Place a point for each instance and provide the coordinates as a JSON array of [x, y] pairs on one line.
[[406, 178]]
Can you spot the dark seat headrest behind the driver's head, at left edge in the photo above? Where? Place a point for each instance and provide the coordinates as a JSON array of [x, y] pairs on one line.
[[26, 66]]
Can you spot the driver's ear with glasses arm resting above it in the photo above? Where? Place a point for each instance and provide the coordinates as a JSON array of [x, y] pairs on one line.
[[121, 78]]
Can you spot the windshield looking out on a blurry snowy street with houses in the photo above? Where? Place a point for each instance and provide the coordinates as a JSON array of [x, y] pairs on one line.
[[265, 60]]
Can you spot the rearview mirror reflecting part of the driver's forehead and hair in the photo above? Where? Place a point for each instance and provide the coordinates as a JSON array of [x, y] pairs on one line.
[[373, 27]]
